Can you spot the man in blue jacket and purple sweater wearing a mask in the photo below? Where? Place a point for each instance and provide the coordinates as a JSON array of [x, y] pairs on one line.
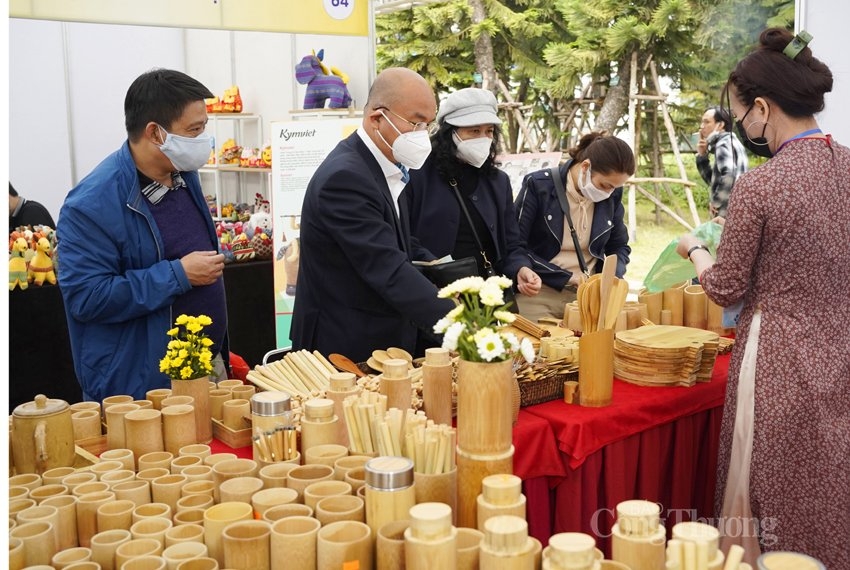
[[137, 243]]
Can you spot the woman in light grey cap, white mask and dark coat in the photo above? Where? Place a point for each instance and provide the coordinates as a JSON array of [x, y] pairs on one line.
[[462, 166]]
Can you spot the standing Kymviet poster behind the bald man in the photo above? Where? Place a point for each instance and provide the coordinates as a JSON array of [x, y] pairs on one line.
[[298, 148]]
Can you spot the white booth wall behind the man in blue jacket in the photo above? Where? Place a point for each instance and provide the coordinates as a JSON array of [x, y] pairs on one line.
[[67, 83]]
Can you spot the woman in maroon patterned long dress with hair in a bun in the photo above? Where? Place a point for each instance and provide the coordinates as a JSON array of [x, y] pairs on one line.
[[784, 462]]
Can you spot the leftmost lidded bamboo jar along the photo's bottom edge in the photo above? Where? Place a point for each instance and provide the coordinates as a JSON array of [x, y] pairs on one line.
[[430, 541]]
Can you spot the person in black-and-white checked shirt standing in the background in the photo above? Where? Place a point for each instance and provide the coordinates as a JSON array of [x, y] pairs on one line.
[[730, 160]]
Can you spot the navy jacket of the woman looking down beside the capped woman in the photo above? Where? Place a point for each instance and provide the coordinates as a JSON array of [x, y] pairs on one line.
[[541, 228]]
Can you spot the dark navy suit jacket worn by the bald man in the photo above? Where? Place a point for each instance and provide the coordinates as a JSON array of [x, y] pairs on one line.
[[357, 288]]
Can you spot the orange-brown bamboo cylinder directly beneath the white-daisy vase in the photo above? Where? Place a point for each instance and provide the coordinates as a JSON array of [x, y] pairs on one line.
[[471, 471]]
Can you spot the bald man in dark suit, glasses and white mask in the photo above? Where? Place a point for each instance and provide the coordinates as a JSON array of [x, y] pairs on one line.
[[357, 288]]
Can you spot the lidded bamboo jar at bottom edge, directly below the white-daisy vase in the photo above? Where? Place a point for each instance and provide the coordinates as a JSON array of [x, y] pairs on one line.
[[506, 544]]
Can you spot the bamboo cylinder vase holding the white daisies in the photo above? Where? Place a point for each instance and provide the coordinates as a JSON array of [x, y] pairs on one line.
[[484, 407]]
